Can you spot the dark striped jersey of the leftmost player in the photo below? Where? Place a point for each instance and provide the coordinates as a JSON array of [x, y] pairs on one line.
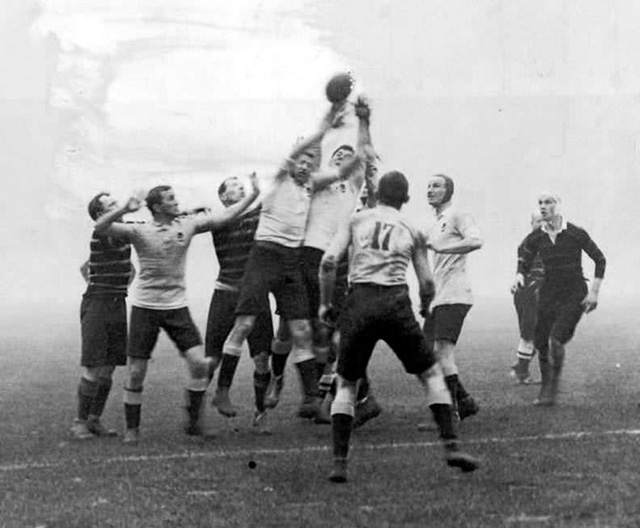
[[109, 266]]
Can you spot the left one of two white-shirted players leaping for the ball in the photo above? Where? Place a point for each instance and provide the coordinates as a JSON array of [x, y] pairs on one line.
[[274, 262]]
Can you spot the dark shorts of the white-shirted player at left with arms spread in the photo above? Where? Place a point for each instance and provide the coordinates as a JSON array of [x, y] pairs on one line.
[[145, 326]]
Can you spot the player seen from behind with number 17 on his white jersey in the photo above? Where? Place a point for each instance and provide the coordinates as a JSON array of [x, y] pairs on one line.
[[378, 307]]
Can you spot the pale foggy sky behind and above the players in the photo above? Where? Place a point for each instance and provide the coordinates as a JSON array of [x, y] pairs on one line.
[[507, 97]]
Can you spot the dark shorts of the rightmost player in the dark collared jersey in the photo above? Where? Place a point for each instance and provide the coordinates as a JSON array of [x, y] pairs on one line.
[[558, 315]]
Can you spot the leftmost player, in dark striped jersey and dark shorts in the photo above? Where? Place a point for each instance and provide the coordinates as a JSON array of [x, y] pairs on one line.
[[103, 320]]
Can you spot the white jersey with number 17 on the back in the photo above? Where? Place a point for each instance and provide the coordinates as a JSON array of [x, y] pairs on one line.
[[382, 246]]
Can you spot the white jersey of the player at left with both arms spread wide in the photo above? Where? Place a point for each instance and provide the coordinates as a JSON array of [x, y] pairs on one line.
[[162, 254]]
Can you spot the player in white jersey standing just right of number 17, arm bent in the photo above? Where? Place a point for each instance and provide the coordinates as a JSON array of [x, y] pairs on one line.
[[451, 237]]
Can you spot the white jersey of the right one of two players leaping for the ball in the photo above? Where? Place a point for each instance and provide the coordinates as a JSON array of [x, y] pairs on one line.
[[330, 208]]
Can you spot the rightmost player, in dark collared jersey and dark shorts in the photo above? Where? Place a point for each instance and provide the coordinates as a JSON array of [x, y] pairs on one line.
[[563, 294]]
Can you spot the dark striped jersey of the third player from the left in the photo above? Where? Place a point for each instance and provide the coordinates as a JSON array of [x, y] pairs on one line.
[[232, 243]]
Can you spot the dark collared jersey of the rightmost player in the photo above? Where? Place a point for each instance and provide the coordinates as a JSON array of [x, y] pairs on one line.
[[562, 259]]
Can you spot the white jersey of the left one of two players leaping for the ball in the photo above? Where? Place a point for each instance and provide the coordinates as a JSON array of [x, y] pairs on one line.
[[284, 213]]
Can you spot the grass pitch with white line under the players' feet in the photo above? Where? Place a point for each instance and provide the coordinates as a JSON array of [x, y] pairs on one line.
[[575, 465]]
